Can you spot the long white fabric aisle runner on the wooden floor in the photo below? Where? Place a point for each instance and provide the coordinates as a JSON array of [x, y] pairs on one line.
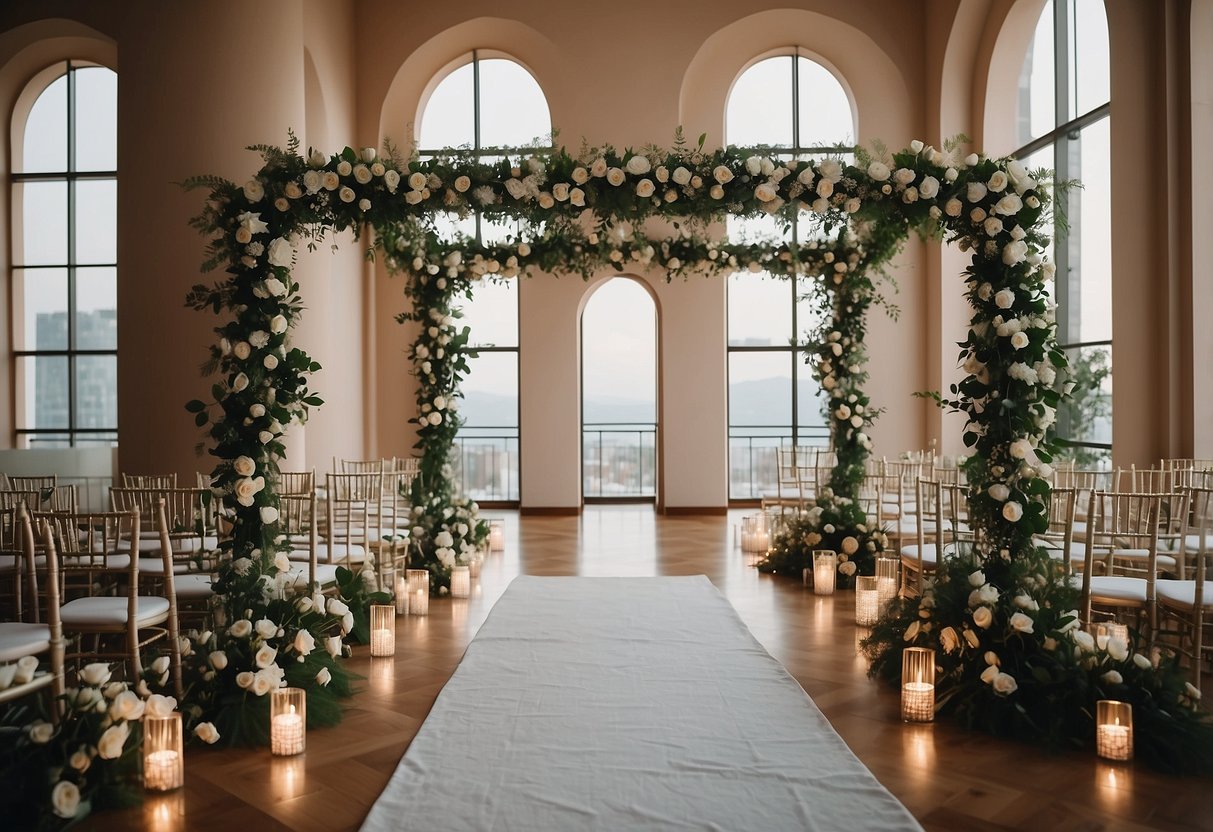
[[627, 704]]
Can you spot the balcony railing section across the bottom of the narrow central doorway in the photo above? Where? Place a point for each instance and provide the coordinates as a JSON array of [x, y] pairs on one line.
[[619, 459]]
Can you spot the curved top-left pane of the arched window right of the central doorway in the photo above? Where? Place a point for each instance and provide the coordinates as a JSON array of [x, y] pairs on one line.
[[760, 110]]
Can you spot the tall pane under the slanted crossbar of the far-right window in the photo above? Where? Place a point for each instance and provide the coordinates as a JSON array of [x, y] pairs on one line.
[[1091, 233]]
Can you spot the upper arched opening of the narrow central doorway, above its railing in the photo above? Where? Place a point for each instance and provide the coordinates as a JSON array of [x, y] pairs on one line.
[[619, 355]]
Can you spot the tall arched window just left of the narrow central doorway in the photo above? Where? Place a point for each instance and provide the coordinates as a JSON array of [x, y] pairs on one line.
[[492, 106]]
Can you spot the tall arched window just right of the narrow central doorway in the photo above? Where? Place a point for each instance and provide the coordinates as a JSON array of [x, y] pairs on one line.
[[799, 109]]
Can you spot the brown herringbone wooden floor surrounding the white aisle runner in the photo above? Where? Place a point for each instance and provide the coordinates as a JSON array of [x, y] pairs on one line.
[[949, 779]]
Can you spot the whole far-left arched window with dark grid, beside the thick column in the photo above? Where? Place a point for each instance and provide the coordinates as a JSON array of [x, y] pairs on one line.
[[65, 266]]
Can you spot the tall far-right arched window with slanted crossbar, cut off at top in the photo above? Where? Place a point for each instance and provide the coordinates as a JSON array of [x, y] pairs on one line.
[[1064, 124]]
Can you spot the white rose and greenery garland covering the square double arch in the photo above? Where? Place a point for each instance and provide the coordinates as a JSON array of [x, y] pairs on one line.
[[586, 212]]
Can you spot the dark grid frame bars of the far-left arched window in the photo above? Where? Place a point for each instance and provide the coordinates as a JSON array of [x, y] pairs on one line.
[[73, 434]]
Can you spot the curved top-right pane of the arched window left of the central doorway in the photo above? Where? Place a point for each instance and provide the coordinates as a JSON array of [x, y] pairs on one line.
[[514, 110]]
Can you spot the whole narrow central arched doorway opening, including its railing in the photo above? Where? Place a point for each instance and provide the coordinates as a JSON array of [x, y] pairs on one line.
[[619, 394]]
